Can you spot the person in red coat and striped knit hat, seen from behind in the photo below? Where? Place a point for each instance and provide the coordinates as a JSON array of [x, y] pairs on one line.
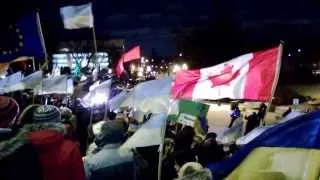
[[60, 158]]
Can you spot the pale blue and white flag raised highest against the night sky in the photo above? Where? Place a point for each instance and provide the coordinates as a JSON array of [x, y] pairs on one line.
[[76, 17]]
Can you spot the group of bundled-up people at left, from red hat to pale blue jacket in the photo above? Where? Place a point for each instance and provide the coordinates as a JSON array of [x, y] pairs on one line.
[[50, 142]]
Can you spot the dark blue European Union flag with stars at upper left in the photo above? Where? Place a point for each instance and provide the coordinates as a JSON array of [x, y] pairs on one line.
[[21, 38]]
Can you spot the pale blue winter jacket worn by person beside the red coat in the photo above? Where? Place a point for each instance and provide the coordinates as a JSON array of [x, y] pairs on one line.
[[110, 163]]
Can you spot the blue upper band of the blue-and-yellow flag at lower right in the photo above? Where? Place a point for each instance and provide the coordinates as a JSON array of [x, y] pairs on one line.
[[300, 132]]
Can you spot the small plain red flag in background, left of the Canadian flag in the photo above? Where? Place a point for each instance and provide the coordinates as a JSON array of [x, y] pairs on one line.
[[131, 55]]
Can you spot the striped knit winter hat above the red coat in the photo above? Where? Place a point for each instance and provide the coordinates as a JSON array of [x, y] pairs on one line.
[[46, 113]]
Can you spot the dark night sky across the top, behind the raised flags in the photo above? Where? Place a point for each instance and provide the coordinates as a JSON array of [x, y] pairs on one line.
[[157, 23]]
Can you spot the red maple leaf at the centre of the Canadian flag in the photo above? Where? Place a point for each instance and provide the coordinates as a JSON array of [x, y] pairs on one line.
[[225, 76]]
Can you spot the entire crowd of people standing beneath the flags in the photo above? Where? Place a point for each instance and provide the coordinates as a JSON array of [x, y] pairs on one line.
[[64, 141]]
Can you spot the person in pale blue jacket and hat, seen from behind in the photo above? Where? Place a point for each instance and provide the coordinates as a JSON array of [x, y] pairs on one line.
[[108, 161]]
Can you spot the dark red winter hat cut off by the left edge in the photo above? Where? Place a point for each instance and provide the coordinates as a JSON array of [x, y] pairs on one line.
[[9, 110]]
